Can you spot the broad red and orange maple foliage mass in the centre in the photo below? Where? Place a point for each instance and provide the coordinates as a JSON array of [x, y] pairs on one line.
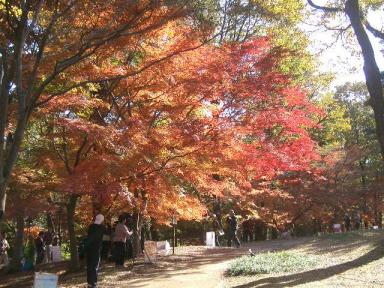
[[163, 133]]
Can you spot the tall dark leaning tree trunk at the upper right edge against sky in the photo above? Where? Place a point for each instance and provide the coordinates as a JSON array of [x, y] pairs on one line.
[[371, 70]]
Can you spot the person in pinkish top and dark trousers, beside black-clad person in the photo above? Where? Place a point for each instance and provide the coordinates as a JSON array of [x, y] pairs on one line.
[[119, 239]]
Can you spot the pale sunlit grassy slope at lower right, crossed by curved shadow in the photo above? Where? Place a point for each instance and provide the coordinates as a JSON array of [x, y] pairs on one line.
[[352, 259]]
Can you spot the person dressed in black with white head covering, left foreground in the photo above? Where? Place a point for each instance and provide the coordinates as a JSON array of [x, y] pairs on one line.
[[93, 249]]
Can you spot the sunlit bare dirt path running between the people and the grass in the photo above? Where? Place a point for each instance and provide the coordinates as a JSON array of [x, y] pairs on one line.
[[199, 268]]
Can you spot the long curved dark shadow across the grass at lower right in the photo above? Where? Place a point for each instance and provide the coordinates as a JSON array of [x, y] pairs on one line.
[[316, 274]]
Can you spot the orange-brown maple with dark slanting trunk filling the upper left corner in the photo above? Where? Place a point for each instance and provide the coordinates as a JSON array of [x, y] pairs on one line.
[[44, 43]]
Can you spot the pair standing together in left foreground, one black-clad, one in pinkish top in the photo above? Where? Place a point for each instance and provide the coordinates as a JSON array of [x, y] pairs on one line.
[[98, 237]]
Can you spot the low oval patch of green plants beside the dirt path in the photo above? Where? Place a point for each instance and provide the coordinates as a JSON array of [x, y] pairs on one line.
[[271, 262]]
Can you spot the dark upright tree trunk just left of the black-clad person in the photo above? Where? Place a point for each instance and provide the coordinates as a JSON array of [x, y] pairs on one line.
[[71, 208]]
